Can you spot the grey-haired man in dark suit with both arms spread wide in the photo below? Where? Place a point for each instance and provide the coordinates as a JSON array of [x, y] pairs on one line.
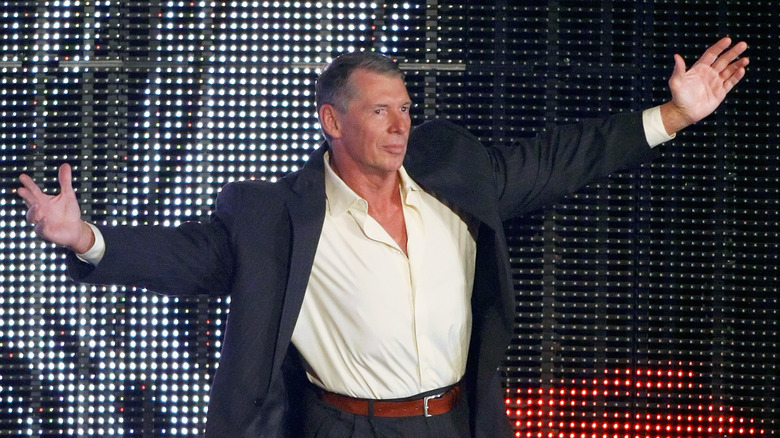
[[370, 290]]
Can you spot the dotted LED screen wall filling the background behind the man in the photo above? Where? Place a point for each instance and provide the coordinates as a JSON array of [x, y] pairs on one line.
[[646, 303]]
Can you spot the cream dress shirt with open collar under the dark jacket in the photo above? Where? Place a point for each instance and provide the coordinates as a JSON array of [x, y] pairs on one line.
[[374, 322]]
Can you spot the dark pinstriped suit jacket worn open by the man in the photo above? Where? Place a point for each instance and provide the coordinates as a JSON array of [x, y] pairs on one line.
[[260, 242]]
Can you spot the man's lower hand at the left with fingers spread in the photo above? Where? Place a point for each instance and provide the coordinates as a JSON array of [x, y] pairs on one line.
[[57, 219]]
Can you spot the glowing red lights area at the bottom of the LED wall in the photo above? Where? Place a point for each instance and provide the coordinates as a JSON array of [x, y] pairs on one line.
[[610, 407]]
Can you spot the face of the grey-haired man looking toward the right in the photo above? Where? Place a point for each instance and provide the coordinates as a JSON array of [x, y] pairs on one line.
[[373, 131]]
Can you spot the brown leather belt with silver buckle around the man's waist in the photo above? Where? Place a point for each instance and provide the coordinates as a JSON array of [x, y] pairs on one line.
[[428, 406]]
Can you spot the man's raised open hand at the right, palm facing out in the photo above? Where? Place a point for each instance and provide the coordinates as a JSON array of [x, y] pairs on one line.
[[698, 91]]
